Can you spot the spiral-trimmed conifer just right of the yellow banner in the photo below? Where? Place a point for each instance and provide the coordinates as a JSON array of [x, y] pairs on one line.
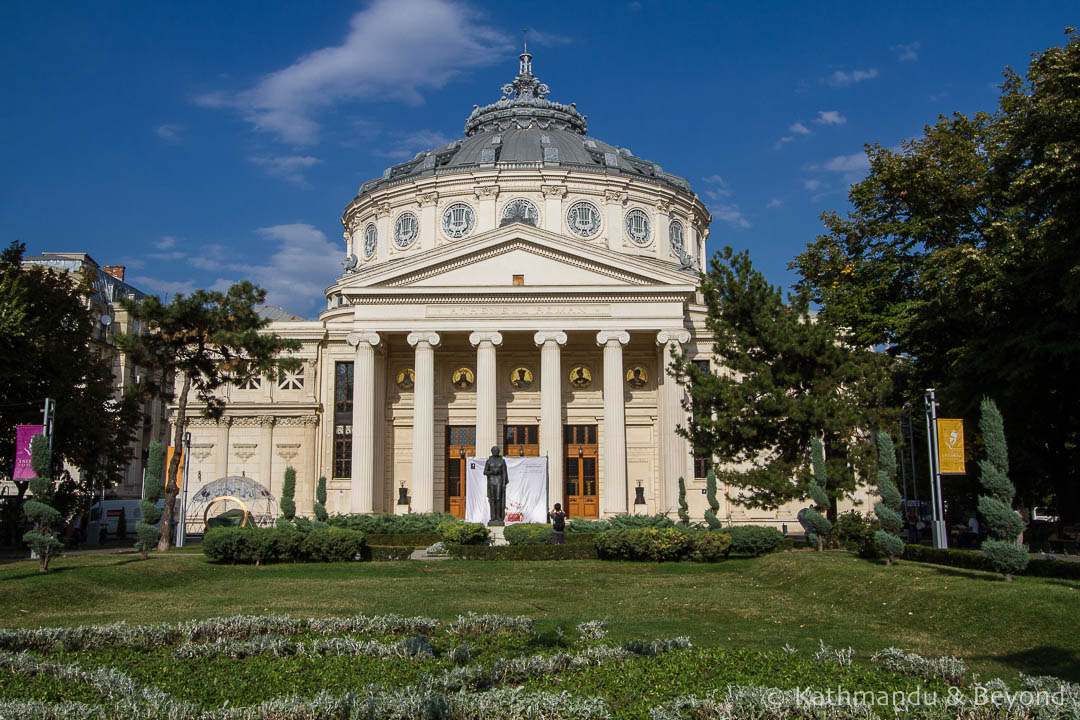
[[1004, 525]]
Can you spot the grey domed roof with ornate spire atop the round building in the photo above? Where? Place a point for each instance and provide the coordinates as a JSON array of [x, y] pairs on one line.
[[524, 129]]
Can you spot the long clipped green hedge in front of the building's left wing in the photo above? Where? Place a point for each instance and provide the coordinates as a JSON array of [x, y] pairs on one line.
[[259, 546]]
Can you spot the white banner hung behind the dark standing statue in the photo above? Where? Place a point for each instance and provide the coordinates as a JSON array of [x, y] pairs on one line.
[[526, 494]]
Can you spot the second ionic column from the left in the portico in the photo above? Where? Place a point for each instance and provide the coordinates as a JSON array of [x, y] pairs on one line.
[[424, 422]]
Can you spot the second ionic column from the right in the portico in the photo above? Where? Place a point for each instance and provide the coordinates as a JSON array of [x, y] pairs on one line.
[[615, 422]]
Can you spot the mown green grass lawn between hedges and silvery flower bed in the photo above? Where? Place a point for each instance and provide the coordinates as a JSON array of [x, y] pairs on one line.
[[1000, 629]]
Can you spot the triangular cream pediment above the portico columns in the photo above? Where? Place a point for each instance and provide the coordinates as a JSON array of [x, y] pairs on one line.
[[543, 259]]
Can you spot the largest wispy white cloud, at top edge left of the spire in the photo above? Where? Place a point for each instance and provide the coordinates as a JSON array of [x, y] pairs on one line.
[[395, 50]]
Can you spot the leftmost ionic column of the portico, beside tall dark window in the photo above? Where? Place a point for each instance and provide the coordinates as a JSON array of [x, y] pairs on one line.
[[362, 493]]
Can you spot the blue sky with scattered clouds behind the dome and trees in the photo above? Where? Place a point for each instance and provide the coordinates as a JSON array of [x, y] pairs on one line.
[[205, 143]]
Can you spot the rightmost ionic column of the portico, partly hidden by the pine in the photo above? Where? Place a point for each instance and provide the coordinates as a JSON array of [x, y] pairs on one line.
[[674, 449]]
